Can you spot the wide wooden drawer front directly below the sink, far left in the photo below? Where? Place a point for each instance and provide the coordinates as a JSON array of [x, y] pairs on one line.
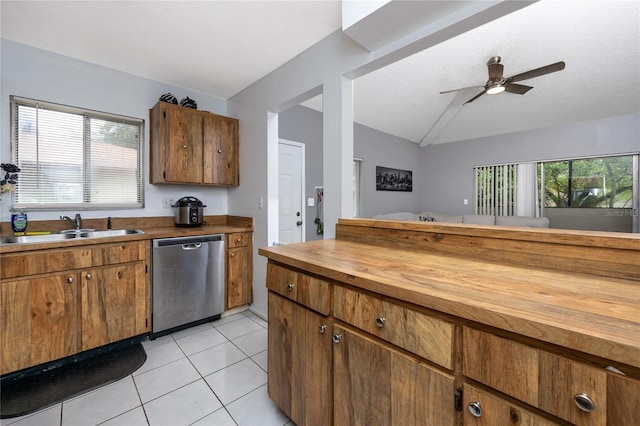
[[45, 261]]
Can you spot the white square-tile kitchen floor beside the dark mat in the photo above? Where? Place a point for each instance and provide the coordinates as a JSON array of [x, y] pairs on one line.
[[212, 374]]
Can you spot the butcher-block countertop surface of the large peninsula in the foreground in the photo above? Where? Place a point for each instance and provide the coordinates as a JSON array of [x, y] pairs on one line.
[[596, 315]]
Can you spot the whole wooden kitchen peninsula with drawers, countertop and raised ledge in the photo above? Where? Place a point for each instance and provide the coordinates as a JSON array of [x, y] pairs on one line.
[[398, 322]]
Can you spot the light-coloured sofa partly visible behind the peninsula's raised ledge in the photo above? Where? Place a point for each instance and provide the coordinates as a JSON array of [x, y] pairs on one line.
[[473, 219]]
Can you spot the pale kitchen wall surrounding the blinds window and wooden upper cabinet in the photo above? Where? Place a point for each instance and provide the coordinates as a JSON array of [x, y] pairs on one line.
[[38, 74]]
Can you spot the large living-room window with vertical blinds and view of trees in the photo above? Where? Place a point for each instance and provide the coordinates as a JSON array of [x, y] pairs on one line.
[[599, 193]]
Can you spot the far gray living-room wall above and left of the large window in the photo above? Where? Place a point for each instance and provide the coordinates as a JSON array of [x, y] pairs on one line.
[[447, 169]]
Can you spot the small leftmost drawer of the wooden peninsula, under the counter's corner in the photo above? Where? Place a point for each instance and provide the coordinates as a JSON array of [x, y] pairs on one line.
[[312, 292]]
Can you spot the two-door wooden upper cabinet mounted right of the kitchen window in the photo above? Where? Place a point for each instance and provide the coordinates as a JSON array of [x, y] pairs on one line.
[[193, 147]]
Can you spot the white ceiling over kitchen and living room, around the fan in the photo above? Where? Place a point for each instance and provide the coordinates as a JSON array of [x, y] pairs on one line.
[[220, 47]]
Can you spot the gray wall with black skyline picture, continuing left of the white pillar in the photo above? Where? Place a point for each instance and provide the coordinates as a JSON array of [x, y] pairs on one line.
[[375, 148]]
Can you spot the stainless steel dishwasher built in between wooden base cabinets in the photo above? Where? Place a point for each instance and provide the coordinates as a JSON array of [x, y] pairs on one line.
[[188, 282]]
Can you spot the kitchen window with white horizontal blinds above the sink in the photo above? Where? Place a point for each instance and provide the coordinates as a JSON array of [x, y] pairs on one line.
[[73, 158]]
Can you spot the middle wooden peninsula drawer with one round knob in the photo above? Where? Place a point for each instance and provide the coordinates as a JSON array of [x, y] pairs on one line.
[[421, 334]]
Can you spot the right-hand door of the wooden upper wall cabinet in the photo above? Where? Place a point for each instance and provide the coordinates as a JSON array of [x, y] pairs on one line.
[[220, 151]]
